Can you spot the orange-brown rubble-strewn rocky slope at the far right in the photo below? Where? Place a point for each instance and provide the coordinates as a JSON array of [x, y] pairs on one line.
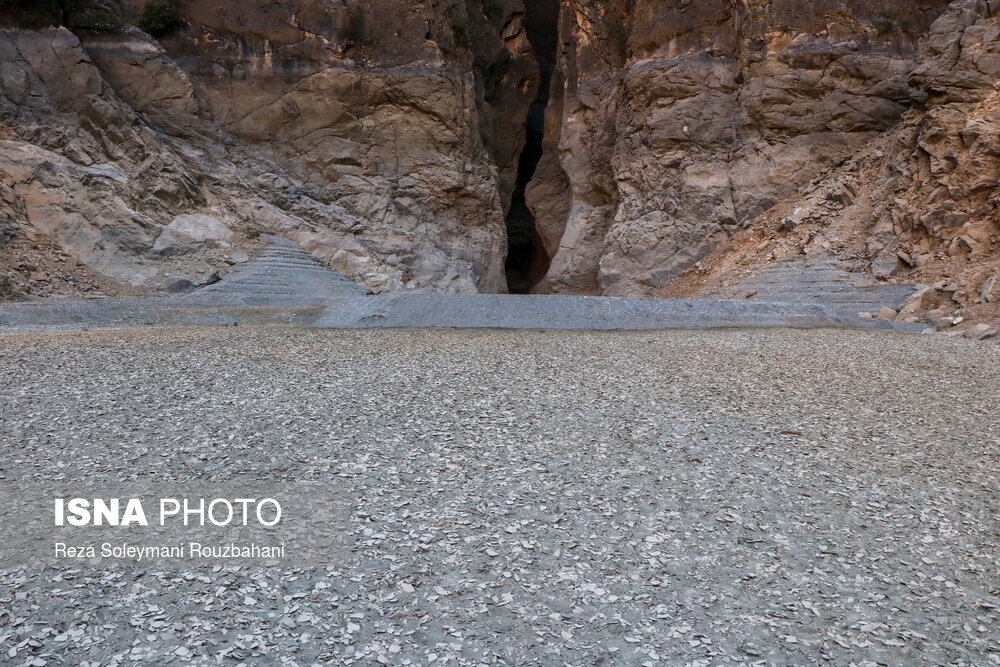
[[917, 203]]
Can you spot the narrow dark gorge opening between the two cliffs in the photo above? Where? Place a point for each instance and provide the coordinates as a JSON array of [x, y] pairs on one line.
[[527, 261]]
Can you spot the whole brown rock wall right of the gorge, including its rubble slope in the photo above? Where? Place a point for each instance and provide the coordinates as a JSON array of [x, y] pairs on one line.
[[690, 144]]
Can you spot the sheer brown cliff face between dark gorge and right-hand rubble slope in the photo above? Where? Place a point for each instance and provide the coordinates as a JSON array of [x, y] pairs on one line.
[[681, 122]]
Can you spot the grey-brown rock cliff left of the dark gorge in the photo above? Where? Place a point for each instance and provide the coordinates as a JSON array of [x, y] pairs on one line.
[[384, 136]]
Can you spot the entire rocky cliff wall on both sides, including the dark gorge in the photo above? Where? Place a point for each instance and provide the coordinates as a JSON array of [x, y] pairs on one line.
[[686, 144]]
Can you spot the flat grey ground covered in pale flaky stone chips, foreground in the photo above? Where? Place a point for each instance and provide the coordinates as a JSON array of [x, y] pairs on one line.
[[696, 497]]
